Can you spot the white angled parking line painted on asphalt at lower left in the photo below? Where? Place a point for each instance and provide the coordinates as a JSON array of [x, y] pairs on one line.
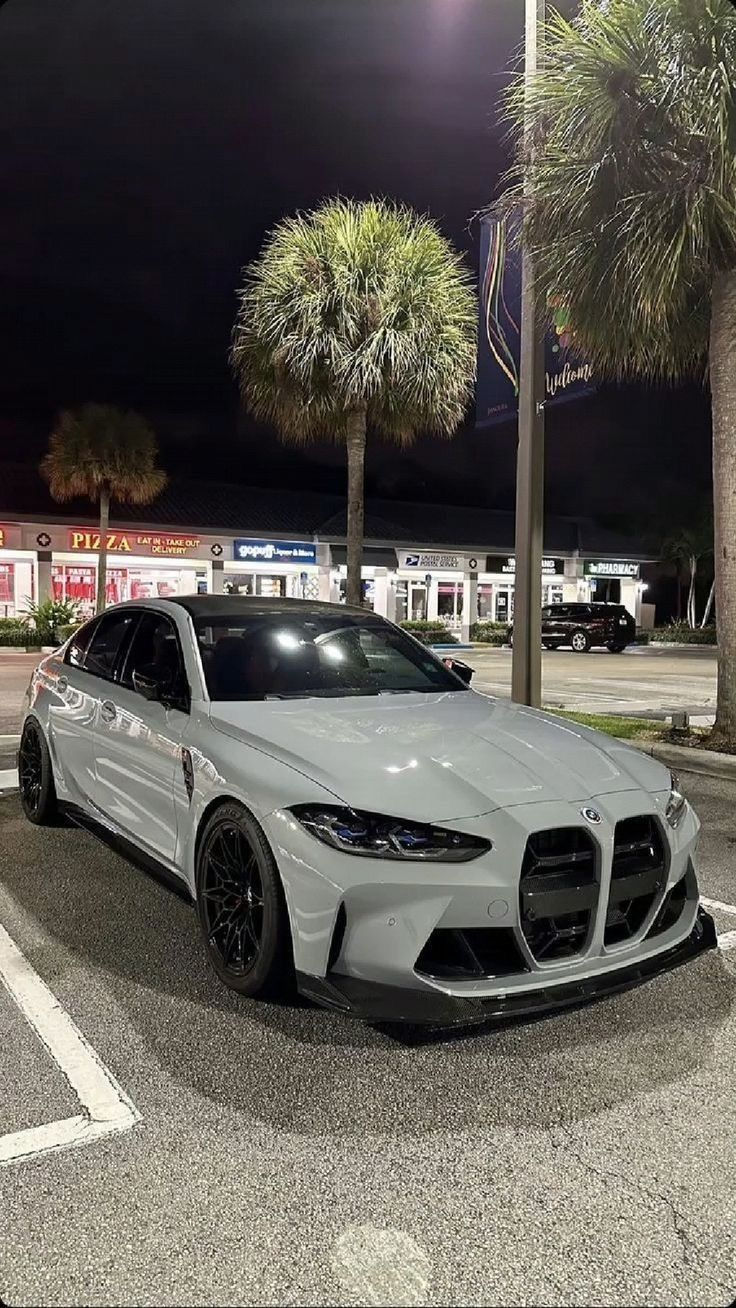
[[107, 1109]]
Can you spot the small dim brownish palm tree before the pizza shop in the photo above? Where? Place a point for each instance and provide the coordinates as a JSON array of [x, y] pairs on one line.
[[101, 453]]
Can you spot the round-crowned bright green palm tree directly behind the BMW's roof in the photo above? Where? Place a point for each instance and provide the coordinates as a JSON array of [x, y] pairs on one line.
[[355, 318]]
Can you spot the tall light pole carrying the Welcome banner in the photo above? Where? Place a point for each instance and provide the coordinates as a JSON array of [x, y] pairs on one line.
[[526, 661]]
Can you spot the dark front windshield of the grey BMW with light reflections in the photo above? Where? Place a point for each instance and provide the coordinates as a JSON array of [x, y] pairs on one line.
[[284, 656]]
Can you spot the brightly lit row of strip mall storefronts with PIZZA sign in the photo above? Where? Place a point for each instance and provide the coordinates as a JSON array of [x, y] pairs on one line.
[[456, 588]]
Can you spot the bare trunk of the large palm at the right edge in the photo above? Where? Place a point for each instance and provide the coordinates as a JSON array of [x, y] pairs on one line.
[[724, 402]]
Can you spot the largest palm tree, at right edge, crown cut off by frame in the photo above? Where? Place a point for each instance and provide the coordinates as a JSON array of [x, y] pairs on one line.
[[631, 213]]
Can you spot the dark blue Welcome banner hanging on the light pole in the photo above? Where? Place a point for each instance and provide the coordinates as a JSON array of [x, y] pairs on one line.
[[568, 375]]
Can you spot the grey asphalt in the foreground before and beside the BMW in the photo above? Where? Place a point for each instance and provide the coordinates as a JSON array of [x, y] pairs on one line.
[[287, 1156]]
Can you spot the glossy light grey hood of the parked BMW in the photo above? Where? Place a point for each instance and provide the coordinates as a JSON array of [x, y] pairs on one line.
[[439, 757]]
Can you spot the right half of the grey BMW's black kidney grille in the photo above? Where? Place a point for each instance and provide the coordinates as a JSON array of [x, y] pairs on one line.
[[637, 877]]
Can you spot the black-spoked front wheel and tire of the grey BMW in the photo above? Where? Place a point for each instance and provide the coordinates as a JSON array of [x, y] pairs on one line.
[[241, 906]]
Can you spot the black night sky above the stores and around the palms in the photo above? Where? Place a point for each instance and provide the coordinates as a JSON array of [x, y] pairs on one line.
[[148, 146]]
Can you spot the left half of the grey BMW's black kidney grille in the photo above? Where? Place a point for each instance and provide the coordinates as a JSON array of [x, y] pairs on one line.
[[559, 893]]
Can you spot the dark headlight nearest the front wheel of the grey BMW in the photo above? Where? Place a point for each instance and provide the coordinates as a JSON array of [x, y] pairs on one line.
[[377, 836]]
